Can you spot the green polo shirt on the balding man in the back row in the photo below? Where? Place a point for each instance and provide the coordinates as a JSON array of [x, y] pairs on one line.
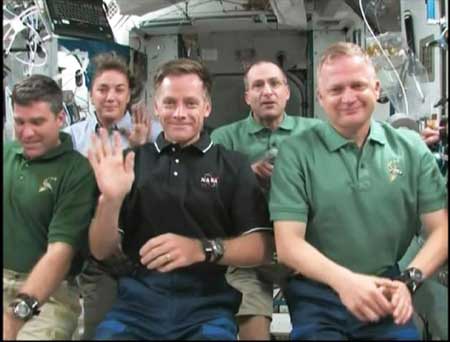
[[254, 140]]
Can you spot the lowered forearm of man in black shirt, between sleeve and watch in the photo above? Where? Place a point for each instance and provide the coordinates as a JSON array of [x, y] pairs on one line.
[[248, 250]]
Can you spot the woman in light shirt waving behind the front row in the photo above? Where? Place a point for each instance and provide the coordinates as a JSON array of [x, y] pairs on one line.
[[114, 94]]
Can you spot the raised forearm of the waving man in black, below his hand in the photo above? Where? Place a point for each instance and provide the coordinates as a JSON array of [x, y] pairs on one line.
[[104, 237]]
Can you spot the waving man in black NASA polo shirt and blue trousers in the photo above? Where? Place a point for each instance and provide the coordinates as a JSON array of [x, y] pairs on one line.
[[184, 210]]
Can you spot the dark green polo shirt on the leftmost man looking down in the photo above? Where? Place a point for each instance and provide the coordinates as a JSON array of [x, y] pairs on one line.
[[47, 199]]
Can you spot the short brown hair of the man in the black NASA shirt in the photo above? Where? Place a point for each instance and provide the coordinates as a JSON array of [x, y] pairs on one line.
[[184, 66]]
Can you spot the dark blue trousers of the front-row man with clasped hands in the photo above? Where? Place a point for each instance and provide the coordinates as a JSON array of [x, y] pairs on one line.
[[317, 313]]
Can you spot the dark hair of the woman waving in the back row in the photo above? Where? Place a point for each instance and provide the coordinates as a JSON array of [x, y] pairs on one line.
[[111, 61]]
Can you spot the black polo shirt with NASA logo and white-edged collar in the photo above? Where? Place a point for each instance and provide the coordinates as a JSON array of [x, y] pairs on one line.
[[199, 191]]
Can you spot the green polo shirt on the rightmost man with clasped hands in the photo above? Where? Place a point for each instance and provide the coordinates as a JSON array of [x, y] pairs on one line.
[[361, 206]]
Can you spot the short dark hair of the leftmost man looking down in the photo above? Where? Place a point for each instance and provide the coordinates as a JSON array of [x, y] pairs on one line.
[[38, 88]]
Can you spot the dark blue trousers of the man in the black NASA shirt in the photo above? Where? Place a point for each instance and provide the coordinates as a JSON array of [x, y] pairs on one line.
[[175, 305]]
